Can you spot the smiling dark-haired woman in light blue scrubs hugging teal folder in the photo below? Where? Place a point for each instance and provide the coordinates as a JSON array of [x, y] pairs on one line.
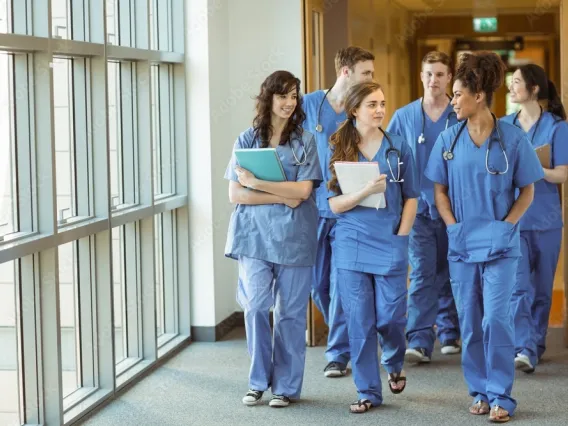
[[273, 235]]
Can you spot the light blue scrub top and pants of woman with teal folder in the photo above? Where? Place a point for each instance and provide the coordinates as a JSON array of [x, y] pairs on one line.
[[275, 246]]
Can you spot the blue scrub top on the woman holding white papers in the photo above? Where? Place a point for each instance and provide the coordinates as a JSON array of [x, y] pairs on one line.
[[365, 238]]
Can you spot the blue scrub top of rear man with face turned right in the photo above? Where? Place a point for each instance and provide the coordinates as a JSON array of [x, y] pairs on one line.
[[330, 121]]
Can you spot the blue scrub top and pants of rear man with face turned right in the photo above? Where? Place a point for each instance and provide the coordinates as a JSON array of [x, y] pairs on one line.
[[324, 288]]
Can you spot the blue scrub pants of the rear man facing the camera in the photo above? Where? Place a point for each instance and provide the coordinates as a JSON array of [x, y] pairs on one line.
[[430, 299]]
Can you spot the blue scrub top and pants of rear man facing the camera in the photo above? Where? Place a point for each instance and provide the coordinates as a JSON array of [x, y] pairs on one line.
[[430, 299]]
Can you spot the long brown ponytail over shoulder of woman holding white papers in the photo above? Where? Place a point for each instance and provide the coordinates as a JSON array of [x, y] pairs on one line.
[[344, 148]]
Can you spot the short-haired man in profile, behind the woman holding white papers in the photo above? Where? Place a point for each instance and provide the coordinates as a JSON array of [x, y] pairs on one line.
[[324, 113]]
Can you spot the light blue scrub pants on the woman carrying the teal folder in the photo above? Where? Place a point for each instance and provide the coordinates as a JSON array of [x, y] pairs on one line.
[[287, 288]]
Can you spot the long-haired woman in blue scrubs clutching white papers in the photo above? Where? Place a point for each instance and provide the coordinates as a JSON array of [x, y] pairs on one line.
[[371, 245]]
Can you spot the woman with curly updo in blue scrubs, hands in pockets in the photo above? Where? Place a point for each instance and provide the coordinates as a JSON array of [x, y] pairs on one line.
[[477, 166]]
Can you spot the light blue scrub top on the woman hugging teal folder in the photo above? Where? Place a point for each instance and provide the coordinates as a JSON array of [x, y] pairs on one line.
[[277, 233]]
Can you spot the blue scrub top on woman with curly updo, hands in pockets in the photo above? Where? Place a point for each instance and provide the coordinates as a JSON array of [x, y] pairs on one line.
[[480, 201]]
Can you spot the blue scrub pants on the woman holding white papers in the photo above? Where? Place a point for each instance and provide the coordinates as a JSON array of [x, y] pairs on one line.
[[373, 303]]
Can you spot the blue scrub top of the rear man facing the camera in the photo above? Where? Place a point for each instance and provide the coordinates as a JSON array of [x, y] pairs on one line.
[[407, 122]]
